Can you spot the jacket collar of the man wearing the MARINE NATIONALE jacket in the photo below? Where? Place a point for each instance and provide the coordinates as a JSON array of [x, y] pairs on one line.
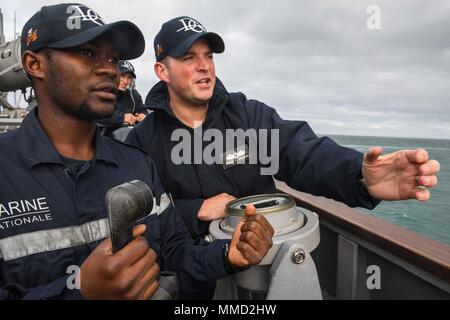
[[35, 146]]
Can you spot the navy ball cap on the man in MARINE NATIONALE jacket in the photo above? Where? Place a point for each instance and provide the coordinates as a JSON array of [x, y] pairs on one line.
[[69, 25]]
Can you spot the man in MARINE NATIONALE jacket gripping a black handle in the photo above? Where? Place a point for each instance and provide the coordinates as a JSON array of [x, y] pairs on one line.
[[57, 168]]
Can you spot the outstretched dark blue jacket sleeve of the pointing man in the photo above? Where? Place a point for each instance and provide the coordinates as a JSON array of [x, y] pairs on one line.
[[311, 164]]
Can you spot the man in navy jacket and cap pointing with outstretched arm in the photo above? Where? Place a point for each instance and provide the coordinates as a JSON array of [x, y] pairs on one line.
[[189, 94]]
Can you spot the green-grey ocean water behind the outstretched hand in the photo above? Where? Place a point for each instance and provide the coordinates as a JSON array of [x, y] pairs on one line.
[[432, 218]]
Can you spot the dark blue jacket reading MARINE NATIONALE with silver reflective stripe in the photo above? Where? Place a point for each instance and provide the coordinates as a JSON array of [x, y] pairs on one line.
[[50, 220]]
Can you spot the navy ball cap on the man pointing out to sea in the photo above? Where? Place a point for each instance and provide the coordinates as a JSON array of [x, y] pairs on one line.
[[178, 35]]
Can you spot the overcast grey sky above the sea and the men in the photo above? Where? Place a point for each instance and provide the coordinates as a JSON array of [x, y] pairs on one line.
[[312, 60]]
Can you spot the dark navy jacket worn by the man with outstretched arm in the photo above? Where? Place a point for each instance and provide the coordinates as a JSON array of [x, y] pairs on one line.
[[307, 163]]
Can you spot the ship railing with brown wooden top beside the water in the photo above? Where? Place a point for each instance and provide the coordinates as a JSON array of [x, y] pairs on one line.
[[364, 257]]
